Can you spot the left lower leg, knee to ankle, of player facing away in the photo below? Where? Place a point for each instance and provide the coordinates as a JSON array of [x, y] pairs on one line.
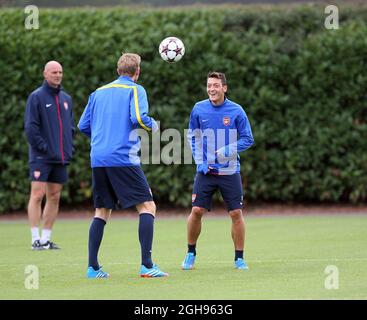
[[96, 234]]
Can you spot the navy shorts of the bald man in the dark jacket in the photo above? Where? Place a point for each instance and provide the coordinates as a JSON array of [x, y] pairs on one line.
[[48, 172]]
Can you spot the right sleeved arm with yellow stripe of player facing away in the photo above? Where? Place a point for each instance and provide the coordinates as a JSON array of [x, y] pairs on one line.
[[139, 110]]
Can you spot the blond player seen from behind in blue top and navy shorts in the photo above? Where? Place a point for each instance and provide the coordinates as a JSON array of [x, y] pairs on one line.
[[110, 118]]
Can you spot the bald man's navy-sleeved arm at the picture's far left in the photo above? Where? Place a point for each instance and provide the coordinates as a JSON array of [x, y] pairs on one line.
[[32, 125]]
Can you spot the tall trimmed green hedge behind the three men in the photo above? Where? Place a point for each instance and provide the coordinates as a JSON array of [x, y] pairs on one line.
[[302, 86]]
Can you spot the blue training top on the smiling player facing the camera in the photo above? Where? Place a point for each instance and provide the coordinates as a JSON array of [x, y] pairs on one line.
[[217, 134]]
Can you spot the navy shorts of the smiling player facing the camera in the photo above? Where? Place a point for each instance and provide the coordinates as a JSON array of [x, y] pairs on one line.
[[230, 186]]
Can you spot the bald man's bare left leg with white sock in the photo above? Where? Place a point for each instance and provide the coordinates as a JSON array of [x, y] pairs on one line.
[[38, 190]]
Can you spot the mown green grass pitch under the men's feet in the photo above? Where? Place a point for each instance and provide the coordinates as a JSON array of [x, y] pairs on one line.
[[287, 256]]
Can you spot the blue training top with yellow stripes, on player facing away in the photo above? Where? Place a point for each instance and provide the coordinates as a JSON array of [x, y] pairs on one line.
[[109, 119]]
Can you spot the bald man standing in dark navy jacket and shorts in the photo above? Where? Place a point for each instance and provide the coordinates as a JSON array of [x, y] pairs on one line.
[[49, 128]]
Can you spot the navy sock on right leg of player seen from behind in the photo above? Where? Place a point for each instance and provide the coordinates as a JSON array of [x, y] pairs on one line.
[[146, 227]]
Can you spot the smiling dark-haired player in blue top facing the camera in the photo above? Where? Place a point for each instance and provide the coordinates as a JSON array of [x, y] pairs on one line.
[[219, 129]]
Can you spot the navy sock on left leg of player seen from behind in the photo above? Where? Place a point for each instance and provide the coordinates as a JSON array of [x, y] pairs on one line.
[[95, 239]]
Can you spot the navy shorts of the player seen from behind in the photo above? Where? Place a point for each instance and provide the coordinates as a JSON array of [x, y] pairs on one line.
[[119, 187]]
